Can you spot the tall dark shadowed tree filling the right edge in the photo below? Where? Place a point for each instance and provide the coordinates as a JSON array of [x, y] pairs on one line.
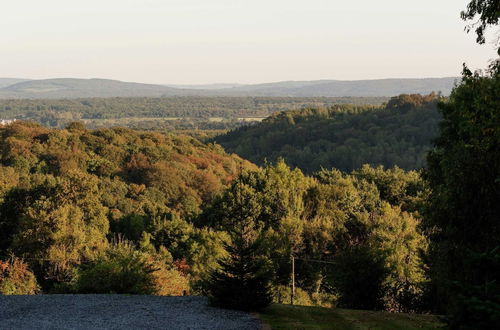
[[462, 215]]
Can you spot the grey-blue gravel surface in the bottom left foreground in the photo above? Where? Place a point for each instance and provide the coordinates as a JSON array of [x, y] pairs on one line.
[[118, 312]]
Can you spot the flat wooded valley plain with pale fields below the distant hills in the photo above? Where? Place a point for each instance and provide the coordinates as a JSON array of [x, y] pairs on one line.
[[146, 112]]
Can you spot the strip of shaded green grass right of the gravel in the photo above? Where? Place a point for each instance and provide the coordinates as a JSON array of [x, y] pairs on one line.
[[304, 317]]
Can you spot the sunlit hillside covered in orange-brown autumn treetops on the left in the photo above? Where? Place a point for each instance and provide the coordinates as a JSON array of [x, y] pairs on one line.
[[175, 171]]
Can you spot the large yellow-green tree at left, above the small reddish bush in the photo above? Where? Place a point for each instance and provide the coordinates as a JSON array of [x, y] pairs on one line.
[[59, 222]]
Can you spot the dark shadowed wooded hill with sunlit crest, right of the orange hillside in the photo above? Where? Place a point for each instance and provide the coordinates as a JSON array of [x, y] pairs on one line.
[[343, 136]]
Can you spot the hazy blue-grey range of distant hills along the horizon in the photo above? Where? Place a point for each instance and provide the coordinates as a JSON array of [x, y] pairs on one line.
[[11, 88]]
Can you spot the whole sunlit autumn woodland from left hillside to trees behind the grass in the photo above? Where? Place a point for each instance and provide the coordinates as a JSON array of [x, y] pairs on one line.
[[114, 210]]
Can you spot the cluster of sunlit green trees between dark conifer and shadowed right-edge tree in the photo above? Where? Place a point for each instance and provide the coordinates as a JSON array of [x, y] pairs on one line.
[[327, 217]]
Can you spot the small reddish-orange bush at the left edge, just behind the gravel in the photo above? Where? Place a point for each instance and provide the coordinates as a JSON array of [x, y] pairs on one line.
[[16, 278]]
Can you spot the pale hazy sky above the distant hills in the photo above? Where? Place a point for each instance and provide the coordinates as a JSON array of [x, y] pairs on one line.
[[251, 41]]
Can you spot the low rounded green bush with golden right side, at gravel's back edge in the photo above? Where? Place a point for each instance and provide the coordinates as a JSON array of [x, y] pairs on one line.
[[122, 269]]
